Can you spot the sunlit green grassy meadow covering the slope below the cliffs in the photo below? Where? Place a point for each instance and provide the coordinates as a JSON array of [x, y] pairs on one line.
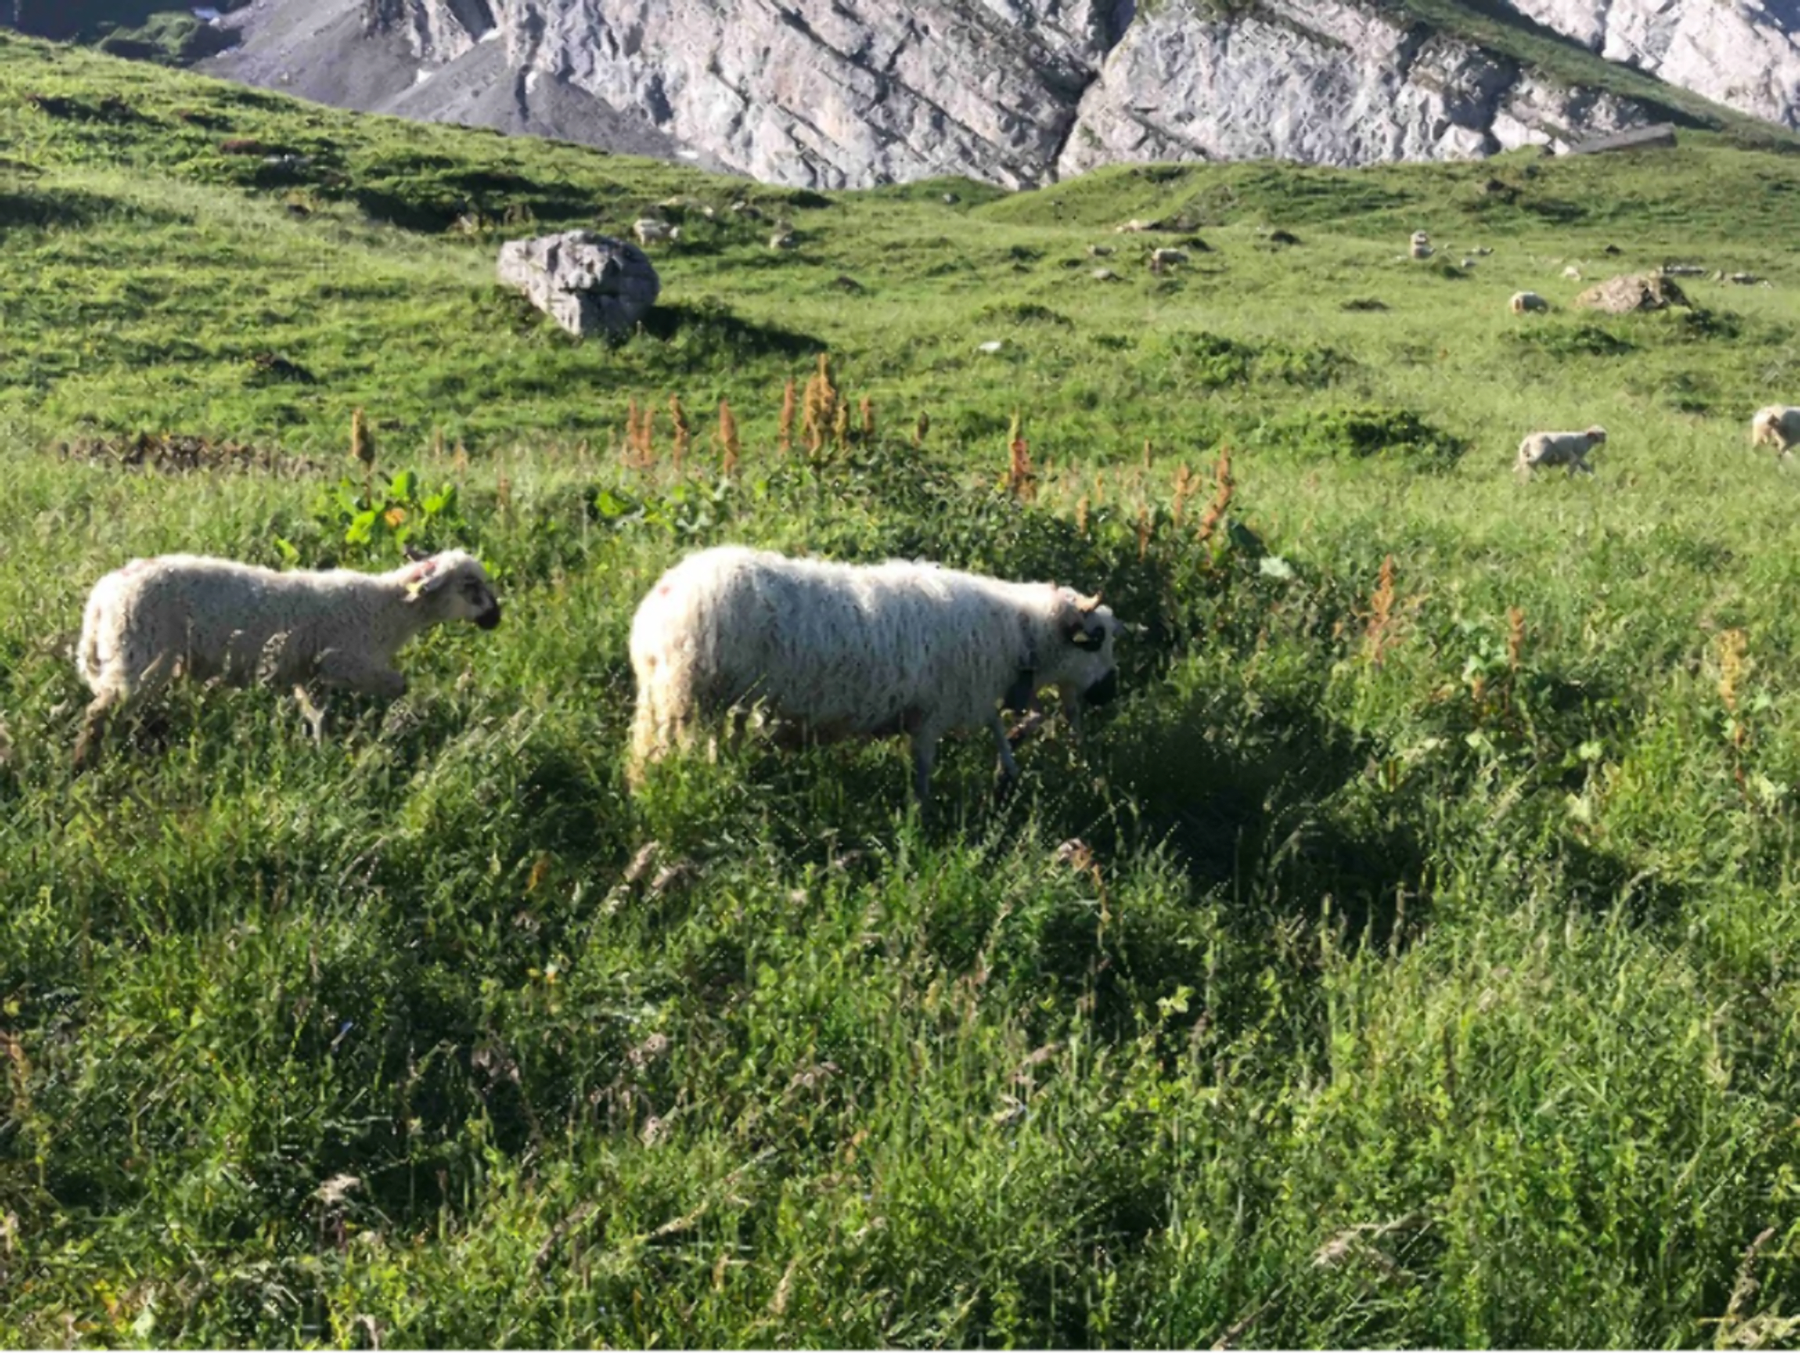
[[1407, 961]]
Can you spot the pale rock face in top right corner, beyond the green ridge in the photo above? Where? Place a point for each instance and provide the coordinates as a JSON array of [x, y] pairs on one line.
[[1740, 53]]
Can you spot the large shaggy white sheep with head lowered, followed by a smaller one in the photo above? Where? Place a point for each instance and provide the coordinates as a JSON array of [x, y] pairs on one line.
[[847, 651]]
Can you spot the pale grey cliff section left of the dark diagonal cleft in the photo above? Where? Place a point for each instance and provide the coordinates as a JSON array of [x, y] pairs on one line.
[[822, 93]]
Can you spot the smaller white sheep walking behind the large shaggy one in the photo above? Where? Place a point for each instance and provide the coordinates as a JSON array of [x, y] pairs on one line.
[[193, 617]]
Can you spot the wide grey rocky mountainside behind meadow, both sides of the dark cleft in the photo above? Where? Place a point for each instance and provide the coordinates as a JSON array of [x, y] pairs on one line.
[[856, 93]]
